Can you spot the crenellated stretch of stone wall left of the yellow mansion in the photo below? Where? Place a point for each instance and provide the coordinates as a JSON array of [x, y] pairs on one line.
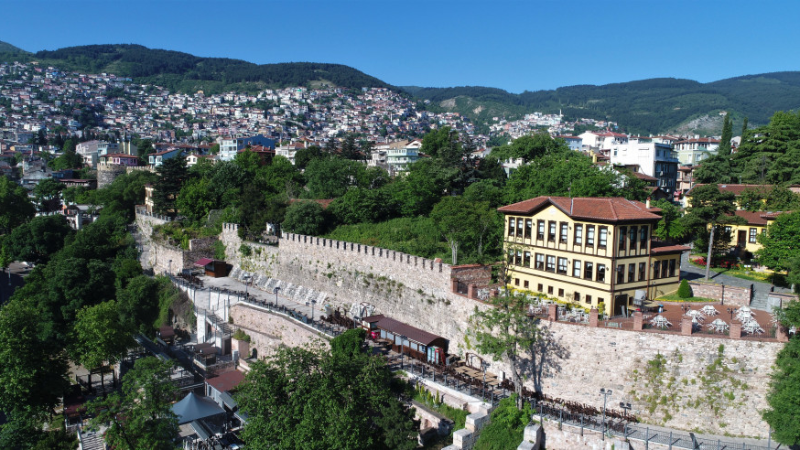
[[408, 288]]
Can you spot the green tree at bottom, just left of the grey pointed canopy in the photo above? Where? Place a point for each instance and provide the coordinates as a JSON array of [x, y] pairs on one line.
[[140, 416]]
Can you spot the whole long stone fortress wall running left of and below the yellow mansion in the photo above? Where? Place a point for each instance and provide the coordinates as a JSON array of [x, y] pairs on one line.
[[691, 376]]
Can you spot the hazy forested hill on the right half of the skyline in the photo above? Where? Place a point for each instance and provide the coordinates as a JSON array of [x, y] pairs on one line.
[[646, 106]]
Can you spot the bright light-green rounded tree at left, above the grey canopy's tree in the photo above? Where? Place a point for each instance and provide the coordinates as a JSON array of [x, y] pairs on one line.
[[99, 337]]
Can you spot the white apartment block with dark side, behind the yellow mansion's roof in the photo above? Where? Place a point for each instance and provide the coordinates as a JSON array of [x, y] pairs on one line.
[[654, 159]]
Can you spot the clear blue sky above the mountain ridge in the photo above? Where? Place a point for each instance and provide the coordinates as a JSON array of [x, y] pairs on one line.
[[513, 45]]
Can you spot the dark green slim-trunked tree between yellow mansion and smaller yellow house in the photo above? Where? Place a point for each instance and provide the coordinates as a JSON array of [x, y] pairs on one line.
[[710, 207]]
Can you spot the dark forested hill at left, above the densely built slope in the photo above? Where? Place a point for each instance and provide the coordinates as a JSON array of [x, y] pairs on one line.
[[188, 73]]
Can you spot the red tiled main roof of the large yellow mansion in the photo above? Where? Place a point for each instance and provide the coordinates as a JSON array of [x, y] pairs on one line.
[[610, 209]]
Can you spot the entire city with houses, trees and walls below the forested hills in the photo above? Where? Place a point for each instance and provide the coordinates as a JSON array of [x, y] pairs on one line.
[[321, 267]]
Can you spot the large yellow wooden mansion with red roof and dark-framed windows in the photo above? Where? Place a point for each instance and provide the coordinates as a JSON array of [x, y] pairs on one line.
[[589, 251]]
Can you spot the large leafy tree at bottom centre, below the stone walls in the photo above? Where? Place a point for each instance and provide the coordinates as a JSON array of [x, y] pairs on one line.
[[355, 400]]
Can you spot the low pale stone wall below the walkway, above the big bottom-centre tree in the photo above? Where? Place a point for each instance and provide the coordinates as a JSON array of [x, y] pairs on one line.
[[269, 331]]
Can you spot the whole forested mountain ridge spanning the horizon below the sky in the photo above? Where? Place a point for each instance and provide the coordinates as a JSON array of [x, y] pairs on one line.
[[656, 105]]
